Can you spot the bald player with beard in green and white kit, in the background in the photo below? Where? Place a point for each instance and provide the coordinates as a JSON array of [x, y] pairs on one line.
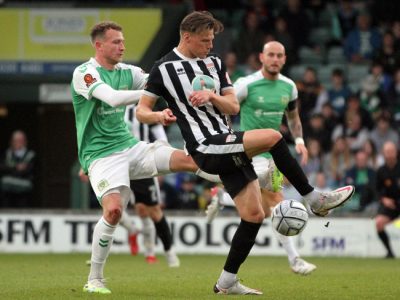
[[265, 96]]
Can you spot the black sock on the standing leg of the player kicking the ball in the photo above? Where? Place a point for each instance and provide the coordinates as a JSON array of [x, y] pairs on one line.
[[242, 242]]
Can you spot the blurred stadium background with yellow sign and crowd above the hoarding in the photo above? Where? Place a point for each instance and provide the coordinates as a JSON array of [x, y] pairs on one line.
[[343, 55]]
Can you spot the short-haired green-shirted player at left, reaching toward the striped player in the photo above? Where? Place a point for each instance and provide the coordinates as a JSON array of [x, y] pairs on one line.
[[101, 88]]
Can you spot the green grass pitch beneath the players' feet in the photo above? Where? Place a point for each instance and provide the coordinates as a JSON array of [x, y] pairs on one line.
[[47, 276]]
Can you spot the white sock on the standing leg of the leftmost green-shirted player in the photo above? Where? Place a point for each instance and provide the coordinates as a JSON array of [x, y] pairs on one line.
[[101, 244]]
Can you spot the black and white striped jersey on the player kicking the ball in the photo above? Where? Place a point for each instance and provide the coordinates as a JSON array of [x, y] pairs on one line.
[[172, 76]]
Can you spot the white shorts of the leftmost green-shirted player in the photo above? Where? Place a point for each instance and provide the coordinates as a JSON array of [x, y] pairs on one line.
[[115, 171]]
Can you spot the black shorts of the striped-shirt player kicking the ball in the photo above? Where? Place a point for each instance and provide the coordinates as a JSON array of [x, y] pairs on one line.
[[223, 154]]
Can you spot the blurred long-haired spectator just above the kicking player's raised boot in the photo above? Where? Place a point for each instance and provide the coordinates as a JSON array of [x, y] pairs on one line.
[[337, 162]]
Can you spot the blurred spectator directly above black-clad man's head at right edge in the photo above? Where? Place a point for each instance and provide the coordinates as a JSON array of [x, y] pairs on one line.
[[383, 132]]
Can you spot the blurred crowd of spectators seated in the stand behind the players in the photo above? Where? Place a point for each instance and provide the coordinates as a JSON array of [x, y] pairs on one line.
[[345, 59]]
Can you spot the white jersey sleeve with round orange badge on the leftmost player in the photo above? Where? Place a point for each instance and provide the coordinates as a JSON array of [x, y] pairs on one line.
[[85, 79]]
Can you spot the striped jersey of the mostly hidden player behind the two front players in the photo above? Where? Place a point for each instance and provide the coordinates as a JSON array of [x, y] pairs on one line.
[[142, 131]]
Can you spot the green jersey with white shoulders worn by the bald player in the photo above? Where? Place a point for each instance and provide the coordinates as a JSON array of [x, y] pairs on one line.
[[263, 102]]
